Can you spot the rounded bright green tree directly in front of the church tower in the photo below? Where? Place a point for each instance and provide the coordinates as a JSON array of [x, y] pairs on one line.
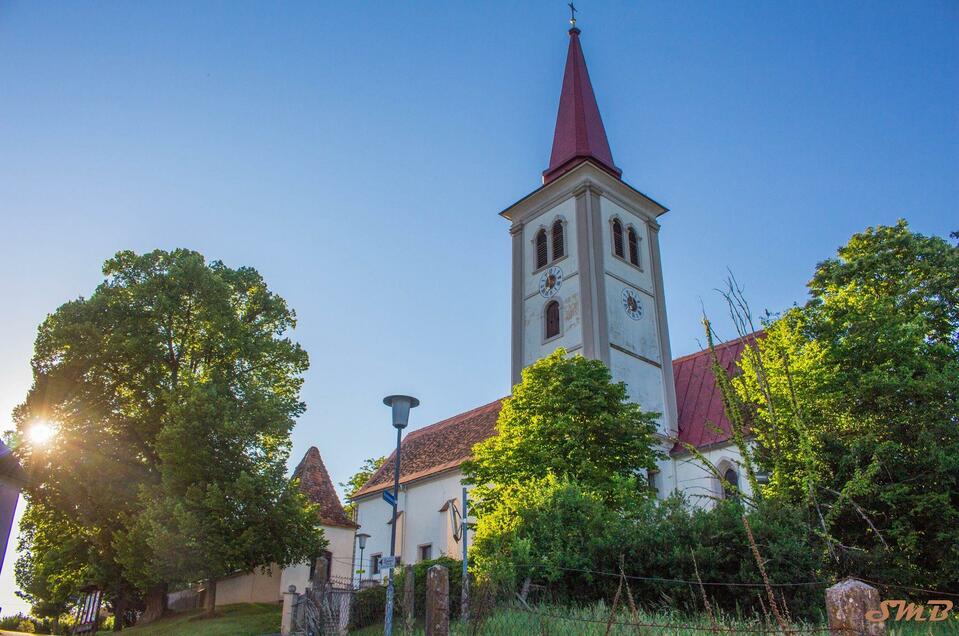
[[566, 418]]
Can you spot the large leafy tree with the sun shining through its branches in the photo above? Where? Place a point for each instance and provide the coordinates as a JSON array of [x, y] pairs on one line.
[[173, 389]]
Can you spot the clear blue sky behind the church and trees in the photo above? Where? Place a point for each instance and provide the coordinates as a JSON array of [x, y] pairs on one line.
[[357, 155]]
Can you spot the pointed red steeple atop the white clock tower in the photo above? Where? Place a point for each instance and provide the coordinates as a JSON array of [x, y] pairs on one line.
[[579, 128]]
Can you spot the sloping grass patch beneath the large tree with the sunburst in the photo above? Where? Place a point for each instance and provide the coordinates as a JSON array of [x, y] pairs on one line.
[[246, 619]]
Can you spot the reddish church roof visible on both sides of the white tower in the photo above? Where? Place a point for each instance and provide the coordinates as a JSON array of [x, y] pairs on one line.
[[447, 444]]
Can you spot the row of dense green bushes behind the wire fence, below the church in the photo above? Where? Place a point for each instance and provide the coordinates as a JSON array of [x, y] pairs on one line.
[[571, 545]]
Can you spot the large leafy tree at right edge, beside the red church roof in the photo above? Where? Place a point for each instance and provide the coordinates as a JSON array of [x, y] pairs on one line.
[[856, 398]]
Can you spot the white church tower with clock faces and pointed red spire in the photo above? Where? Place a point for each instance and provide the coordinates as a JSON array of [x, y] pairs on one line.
[[586, 266]]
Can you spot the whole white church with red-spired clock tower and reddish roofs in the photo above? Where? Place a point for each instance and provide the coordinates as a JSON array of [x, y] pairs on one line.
[[586, 276]]
